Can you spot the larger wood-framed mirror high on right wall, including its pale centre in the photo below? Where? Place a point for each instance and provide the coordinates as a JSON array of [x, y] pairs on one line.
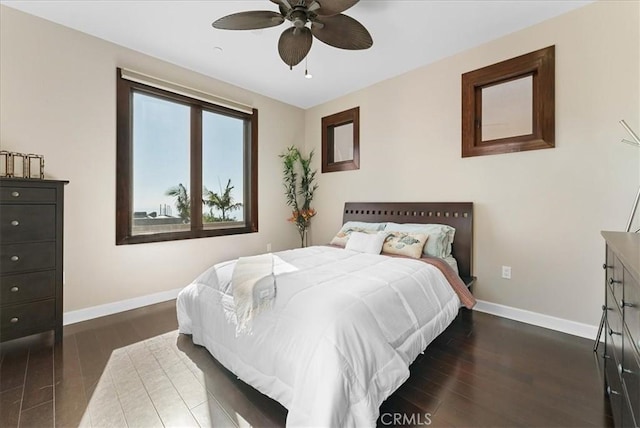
[[510, 106]]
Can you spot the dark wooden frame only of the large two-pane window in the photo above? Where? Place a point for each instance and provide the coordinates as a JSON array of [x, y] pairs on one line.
[[124, 165]]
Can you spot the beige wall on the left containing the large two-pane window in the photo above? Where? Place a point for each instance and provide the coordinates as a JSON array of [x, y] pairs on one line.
[[57, 98]]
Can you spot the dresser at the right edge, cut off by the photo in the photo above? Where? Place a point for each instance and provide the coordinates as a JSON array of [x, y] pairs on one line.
[[622, 341]]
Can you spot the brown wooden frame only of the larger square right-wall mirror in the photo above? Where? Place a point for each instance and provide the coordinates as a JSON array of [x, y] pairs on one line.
[[541, 66]]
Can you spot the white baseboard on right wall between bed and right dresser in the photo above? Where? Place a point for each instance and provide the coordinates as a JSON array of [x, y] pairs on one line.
[[547, 321]]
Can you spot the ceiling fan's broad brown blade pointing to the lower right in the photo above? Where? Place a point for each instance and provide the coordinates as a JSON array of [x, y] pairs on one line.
[[342, 31]]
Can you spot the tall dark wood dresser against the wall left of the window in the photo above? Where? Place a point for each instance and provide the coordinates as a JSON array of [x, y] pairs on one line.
[[31, 225]]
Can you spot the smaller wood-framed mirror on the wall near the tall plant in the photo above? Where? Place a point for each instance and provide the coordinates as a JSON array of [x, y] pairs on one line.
[[341, 141]]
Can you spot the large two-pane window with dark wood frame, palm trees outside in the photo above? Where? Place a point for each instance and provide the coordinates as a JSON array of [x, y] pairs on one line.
[[186, 167]]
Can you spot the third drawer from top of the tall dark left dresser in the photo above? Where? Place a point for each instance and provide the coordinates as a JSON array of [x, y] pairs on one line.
[[25, 257]]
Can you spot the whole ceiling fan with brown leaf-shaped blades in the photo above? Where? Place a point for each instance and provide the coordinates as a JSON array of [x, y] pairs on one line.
[[326, 22]]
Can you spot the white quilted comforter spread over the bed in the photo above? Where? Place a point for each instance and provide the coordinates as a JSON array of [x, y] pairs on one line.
[[339, 339]]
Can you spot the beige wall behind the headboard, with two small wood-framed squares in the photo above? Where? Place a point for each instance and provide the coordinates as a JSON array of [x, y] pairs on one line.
[[539, 212]]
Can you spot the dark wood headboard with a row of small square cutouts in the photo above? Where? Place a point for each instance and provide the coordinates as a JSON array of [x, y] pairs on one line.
[[455, 214]]
